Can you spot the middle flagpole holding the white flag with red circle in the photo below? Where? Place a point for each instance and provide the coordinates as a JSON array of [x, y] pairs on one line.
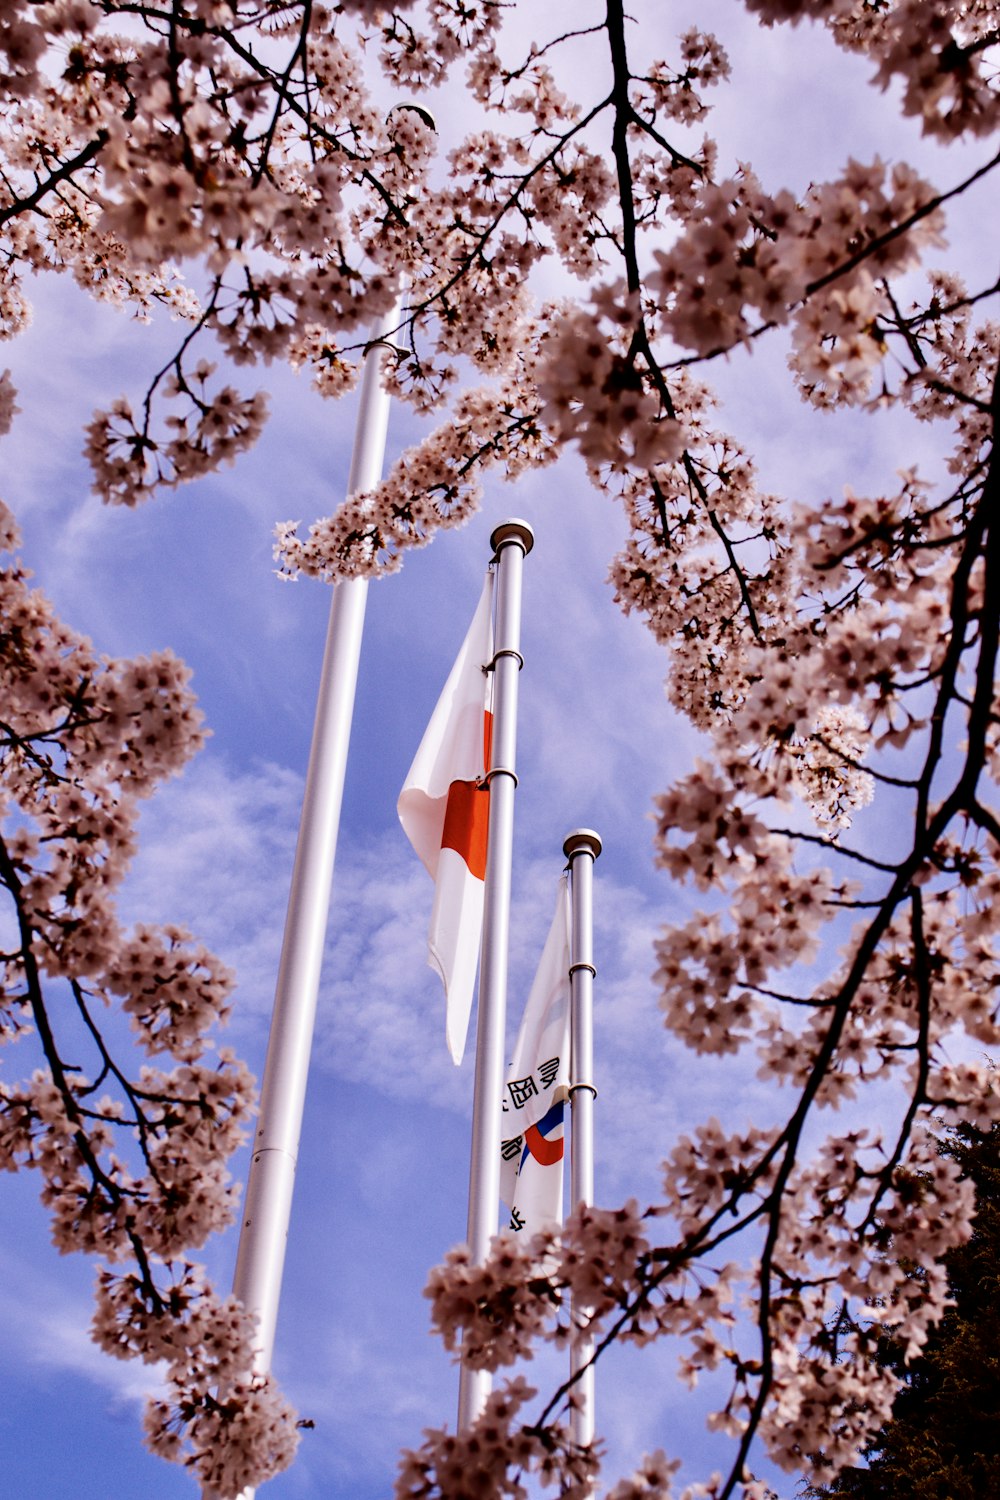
[[512, 542]]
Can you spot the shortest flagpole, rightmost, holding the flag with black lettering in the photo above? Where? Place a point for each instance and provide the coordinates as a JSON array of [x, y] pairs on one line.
[[582, 850]]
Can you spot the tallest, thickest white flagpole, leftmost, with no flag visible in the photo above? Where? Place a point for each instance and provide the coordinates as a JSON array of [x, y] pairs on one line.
[[268, 1207]]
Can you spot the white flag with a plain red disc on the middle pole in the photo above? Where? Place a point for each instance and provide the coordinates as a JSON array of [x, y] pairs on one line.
[[445, 811]]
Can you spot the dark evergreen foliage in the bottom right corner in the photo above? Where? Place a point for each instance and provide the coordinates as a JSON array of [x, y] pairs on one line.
[[944, 1438]]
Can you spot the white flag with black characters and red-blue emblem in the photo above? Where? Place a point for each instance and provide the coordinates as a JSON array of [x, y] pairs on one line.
[[539, 1087]]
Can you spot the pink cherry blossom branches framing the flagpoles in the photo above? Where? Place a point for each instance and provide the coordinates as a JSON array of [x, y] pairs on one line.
[[828, 653]]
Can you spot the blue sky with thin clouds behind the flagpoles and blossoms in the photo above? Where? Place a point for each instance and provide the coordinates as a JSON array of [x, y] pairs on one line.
[[385, 1156]]
